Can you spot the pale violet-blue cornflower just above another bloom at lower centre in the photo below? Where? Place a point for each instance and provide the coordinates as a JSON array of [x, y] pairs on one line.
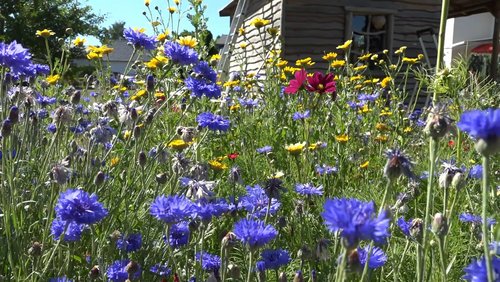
[[256, 202]]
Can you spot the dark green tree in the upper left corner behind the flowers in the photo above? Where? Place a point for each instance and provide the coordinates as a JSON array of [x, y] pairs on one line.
[[19, 20]]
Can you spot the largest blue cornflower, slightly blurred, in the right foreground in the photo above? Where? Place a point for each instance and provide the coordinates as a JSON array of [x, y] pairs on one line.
[[356, 220]]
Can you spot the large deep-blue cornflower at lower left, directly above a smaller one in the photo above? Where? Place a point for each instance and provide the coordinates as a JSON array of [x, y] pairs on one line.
[[80, 207]]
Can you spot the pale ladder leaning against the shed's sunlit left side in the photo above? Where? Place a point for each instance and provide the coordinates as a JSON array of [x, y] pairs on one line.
[[239, 17]]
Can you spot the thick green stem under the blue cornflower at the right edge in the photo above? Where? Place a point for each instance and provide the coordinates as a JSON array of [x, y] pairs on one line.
[[486, 246]]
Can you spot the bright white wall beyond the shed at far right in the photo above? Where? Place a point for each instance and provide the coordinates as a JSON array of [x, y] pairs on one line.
[[465, 33]]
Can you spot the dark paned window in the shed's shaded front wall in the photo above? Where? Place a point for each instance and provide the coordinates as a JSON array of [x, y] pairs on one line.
[[370, 29]]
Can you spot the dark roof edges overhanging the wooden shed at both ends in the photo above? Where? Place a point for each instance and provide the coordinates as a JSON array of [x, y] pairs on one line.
[[458, 8]]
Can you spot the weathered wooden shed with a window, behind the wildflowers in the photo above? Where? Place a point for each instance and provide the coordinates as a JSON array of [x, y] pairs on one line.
[[311, 28]]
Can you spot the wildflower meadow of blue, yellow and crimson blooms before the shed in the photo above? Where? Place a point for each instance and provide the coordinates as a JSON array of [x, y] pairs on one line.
[[171, 173]]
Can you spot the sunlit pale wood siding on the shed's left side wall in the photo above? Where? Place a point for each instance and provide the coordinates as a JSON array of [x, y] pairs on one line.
[[251, 58]]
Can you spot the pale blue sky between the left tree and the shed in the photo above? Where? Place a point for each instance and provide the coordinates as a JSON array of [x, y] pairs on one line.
[[130, 11]]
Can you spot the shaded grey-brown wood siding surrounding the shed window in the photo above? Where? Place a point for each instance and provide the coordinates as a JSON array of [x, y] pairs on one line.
[[315, 27]]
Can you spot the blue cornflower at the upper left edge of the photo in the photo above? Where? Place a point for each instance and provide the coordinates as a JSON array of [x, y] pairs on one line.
[[15, 57]]
